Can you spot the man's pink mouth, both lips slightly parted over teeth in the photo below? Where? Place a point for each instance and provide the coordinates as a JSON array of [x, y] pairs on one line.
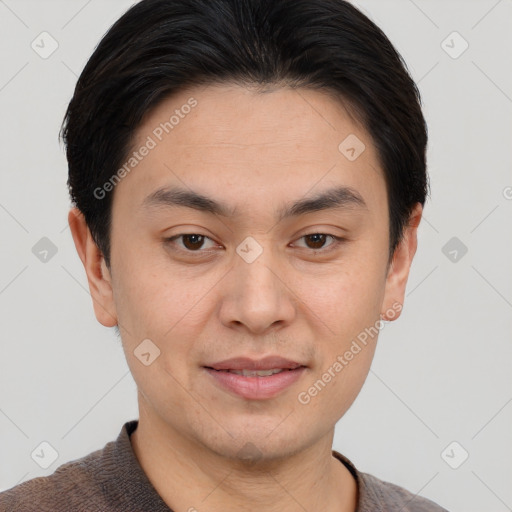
[[255, 379]]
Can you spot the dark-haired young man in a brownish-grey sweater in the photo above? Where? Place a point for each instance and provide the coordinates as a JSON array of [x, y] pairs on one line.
[[248, 178]]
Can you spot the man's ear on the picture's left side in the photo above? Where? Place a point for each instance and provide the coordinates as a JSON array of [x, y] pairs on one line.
[[98, 275]]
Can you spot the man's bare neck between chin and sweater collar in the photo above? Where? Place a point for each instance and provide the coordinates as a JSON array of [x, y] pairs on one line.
[[190, 477]]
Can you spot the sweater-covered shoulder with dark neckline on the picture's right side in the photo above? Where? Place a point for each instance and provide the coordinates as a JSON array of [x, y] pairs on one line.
[[377, 494]]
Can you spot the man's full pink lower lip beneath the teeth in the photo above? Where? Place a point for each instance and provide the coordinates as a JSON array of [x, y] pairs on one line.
[[256, 388]]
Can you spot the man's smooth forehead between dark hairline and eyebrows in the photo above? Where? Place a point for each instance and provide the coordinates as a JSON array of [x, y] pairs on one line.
[[225, 140]]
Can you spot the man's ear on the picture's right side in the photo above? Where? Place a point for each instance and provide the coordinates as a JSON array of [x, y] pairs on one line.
[[398, 271]]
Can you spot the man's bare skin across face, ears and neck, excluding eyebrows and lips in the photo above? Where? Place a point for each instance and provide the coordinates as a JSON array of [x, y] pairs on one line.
[[299, 299]]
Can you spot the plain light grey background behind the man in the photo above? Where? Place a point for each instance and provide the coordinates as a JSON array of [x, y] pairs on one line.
[[441, 373]]
